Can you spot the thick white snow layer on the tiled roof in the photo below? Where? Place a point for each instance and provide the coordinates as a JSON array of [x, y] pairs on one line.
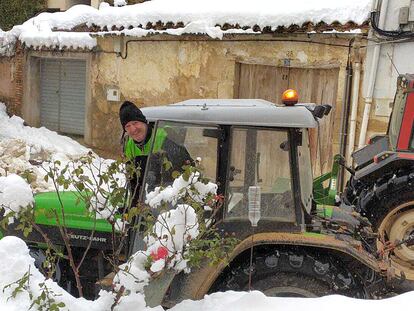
[[243, 12]]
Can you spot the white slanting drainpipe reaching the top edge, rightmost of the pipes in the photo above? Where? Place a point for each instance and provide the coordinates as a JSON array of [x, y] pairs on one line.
[[372, 76]]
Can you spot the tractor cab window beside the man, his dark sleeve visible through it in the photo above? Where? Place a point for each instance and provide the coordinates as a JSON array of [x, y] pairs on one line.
[[177, 145]]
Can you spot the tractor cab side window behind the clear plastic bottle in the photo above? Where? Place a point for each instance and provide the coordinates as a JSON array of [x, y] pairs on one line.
[[260, 157]]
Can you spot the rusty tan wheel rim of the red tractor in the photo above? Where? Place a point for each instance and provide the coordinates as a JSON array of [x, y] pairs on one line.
[[397, 224]]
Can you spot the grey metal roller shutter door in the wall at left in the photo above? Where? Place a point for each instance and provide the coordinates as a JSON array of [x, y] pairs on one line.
[[62, 95]]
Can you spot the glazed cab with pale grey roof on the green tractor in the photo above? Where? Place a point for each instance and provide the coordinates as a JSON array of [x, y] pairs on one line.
[[240, 144]]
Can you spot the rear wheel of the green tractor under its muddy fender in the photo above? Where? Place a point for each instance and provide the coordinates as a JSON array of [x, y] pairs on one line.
[[293, 274]]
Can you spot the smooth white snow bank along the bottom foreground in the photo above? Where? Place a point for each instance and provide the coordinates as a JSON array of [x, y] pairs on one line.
[[16, 261]]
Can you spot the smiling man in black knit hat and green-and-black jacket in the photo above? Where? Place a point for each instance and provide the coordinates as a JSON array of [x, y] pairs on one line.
[[137, 146]]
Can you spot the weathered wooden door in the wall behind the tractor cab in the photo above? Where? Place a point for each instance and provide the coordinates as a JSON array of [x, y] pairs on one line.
[[314, 85]]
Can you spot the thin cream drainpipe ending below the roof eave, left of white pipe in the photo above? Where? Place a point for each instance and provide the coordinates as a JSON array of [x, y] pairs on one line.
[[354, 107]]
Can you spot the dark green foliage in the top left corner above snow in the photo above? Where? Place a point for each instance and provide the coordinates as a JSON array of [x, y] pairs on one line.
[[16, 12]]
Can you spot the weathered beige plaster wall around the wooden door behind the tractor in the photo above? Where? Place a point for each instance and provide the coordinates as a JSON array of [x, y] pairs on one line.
[[157, 72]]
